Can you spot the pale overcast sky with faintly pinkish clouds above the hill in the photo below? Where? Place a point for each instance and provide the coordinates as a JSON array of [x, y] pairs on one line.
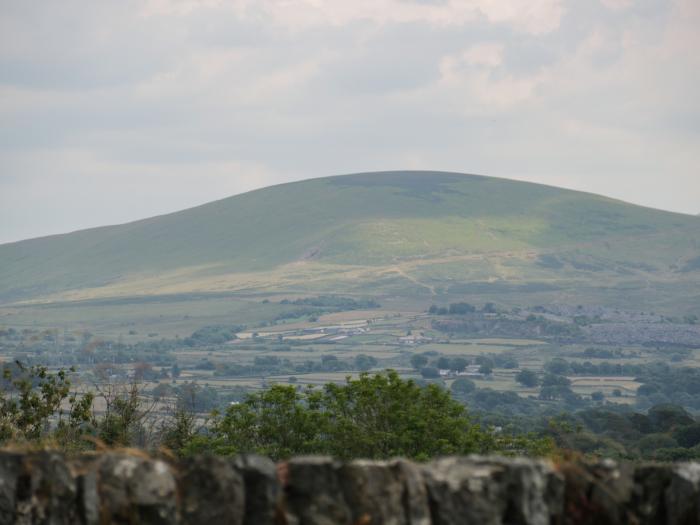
[[112, 111]]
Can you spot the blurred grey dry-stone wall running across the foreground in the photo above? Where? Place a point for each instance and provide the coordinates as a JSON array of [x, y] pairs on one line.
[[130, 488]]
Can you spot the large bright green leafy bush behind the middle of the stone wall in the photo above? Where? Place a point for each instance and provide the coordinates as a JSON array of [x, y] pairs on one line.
[[375, 416]]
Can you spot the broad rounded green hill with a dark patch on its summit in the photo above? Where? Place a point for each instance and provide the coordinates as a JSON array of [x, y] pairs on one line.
[[411, 233]]
